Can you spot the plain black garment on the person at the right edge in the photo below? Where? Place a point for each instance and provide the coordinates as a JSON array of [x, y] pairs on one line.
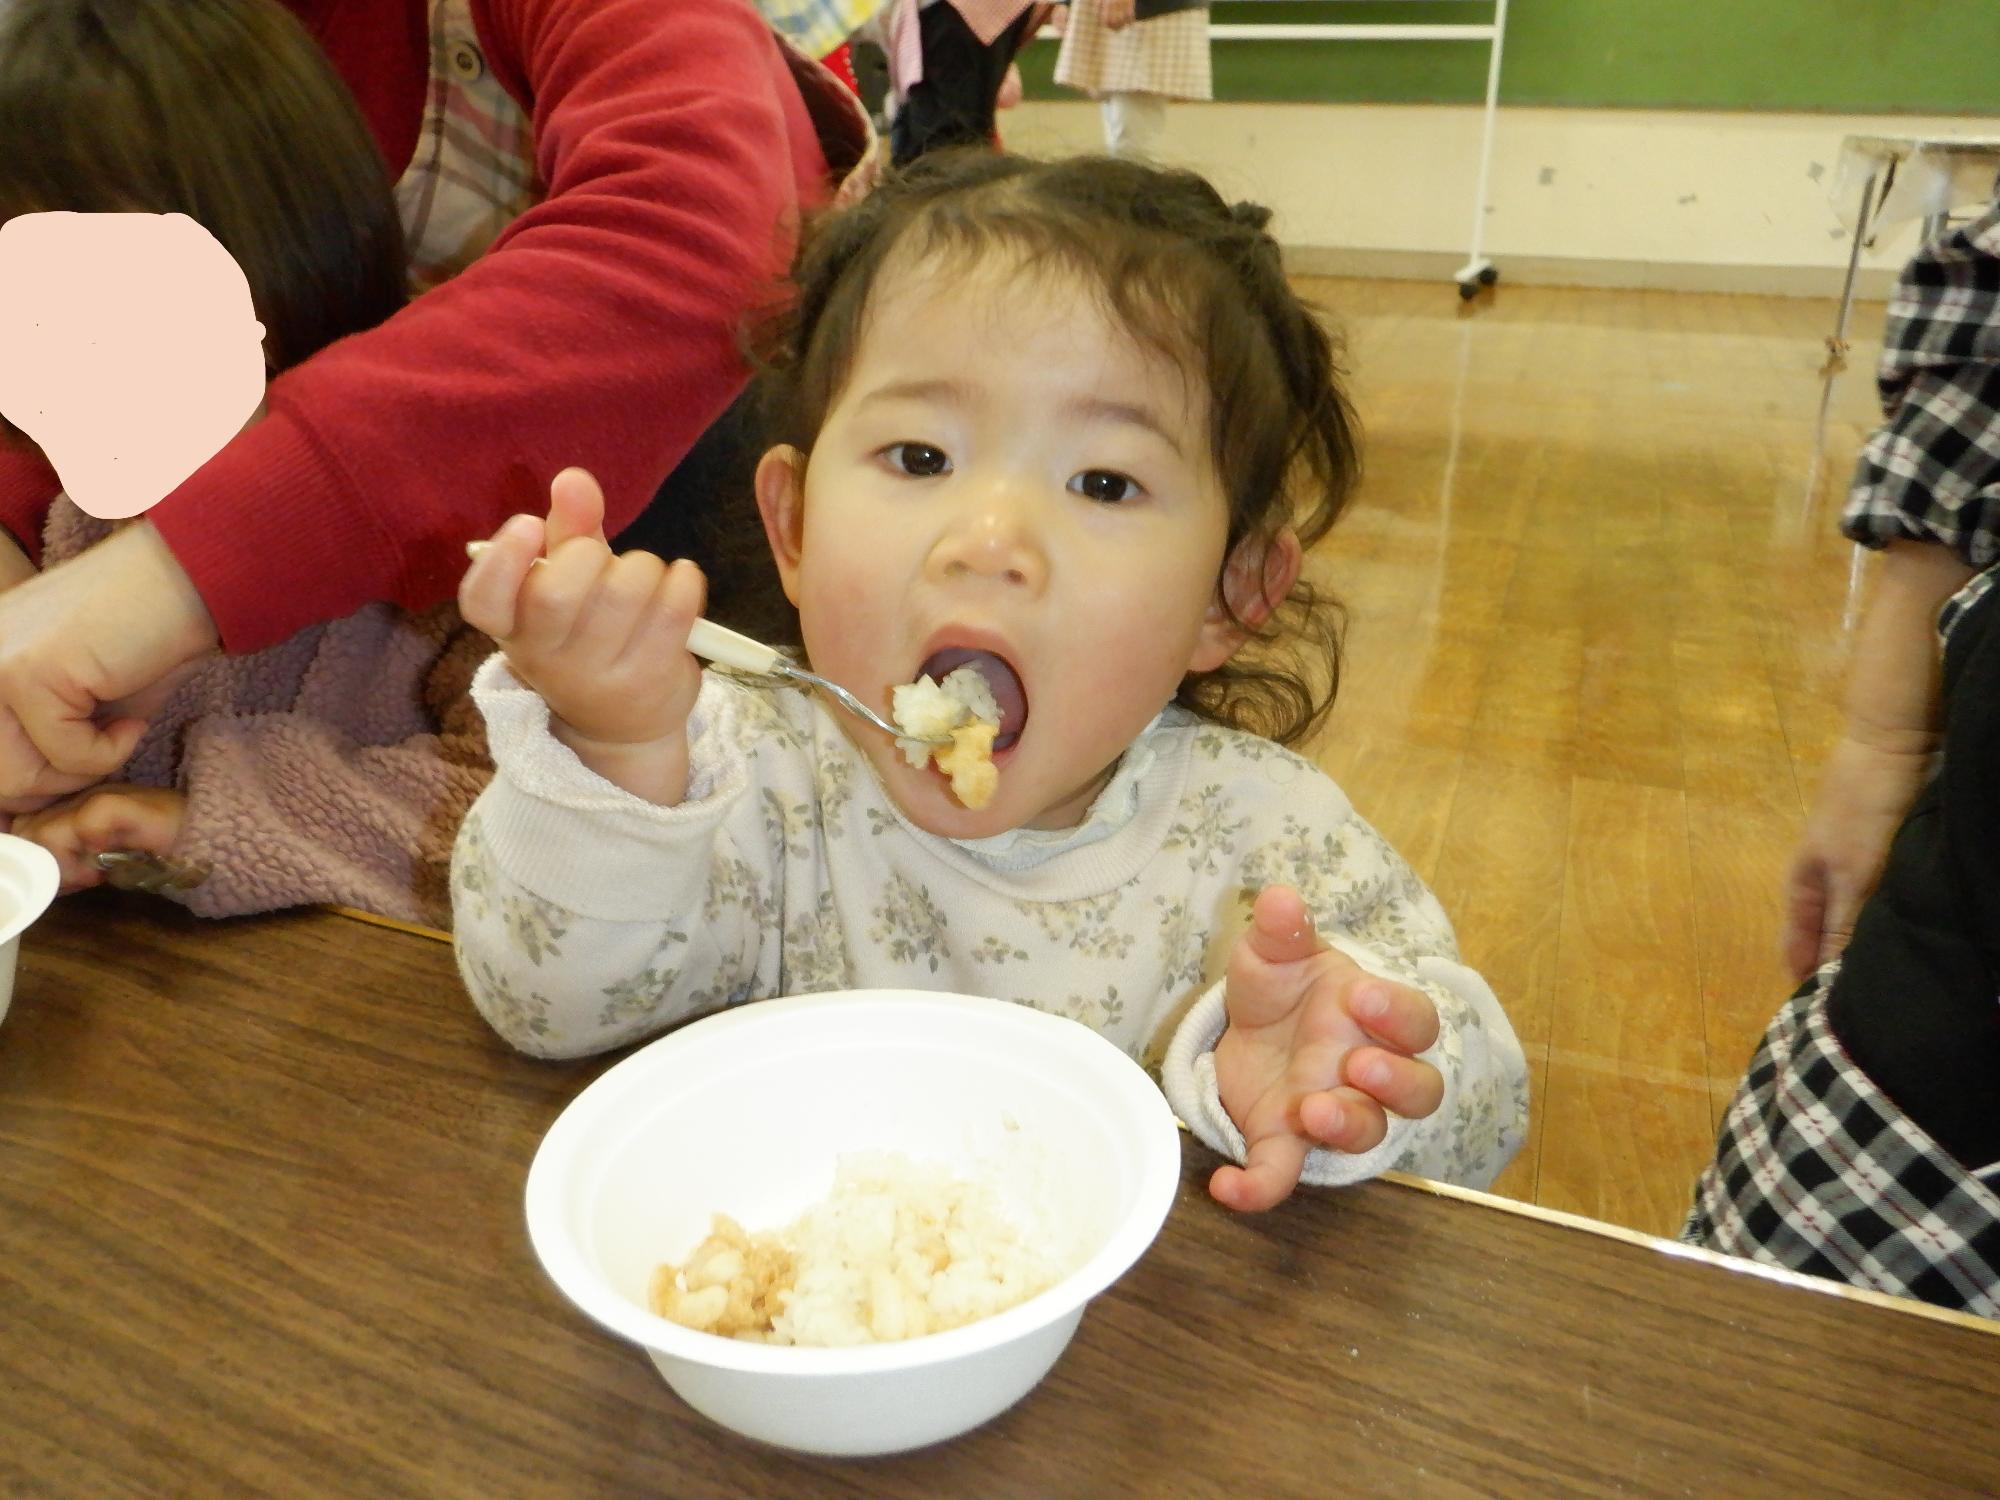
[[1917, 1001]]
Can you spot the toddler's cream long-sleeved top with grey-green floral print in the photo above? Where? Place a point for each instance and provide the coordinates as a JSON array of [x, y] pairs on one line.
[[589, 919]]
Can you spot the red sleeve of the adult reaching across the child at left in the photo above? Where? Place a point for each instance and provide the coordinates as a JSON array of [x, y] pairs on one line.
[[601, 329]]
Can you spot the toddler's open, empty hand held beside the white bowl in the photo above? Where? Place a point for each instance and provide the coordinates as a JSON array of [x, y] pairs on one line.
[[1317, 1053]]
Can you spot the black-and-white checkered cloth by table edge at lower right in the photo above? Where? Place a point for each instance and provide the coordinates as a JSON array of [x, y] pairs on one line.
[[1819, 1171]]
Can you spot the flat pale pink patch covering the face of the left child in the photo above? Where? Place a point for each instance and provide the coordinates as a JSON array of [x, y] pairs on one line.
[[129, 351]]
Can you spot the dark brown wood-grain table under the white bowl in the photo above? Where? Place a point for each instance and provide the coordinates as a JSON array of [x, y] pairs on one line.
[[261, 1233]]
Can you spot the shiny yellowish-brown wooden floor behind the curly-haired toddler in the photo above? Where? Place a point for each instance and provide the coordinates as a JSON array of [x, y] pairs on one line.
[[1597, 651]]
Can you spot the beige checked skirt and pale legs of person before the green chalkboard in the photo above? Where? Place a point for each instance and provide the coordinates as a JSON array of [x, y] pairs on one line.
[[1133, 57]]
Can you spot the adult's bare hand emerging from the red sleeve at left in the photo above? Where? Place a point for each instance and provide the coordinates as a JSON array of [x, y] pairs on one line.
[[77, 639]]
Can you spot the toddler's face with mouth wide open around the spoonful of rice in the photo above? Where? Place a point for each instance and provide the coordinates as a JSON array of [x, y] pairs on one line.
[[1007, 473]]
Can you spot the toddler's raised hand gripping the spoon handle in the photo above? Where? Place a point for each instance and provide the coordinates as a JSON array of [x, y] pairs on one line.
[[601, 637]]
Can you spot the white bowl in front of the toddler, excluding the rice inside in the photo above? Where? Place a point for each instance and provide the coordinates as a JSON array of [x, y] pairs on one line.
[[747, 1113]]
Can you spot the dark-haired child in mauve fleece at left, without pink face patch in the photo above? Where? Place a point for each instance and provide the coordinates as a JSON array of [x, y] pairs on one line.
[[337, 765]]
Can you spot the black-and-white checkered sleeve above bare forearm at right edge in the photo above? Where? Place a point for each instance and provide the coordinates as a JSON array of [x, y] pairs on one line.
[[1933, 471]]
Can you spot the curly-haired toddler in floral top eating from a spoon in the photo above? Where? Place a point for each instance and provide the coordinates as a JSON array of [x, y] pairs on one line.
[[1065, 425]]
